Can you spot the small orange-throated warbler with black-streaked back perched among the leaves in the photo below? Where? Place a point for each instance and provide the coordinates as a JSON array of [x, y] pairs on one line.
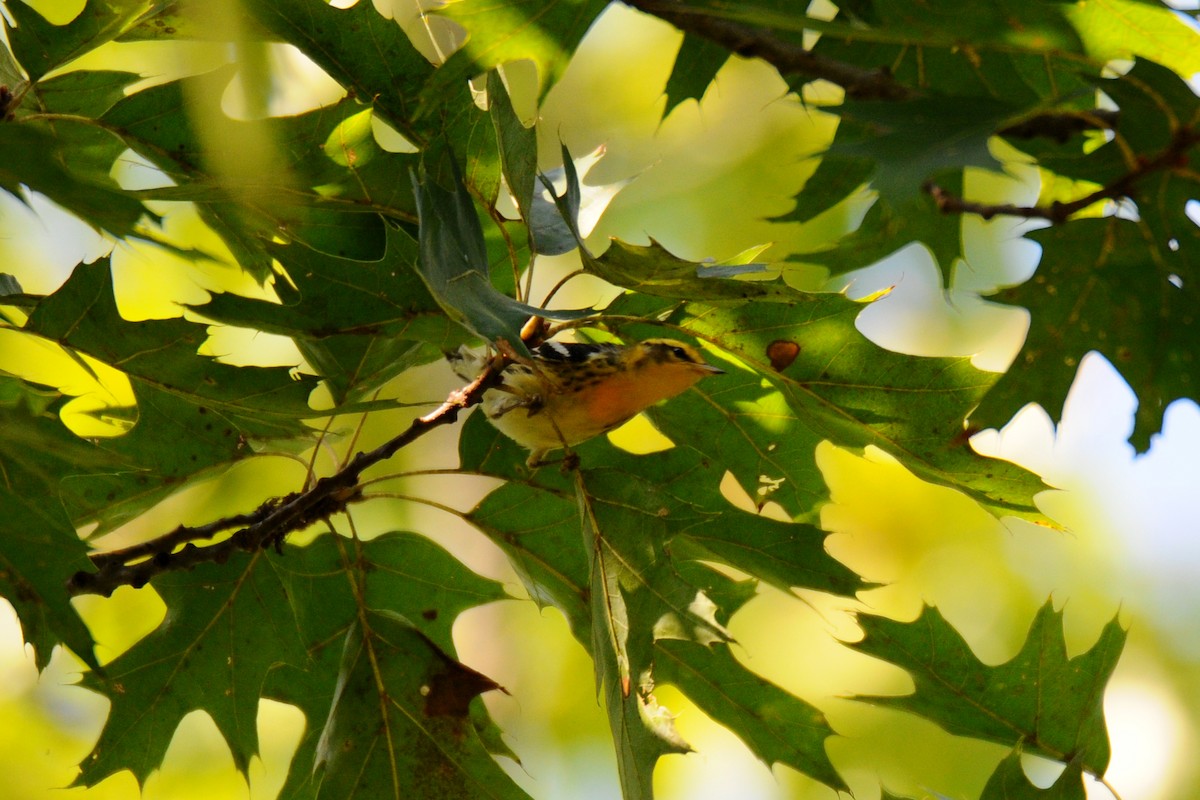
[[571, 393]]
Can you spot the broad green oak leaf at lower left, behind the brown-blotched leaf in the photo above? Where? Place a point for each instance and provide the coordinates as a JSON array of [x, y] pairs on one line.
[[231, 628]]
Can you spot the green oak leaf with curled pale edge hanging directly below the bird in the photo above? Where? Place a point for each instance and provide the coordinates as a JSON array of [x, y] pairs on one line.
[[629, 581]]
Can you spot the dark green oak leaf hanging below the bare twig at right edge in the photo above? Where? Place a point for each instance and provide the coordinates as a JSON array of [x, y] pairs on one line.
[[1106, 286]]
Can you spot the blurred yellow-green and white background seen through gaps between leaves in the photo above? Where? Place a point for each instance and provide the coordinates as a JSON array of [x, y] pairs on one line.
[[704, 182]]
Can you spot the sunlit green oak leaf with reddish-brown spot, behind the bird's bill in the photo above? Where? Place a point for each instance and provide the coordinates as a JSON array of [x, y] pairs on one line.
[[765, 418]]
